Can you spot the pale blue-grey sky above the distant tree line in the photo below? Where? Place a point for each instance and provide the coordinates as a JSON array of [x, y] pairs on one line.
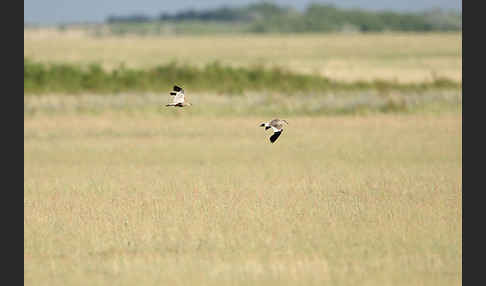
[[74, 11]]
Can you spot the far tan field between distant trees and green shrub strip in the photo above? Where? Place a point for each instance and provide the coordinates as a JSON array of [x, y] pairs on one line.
[[405, 57]]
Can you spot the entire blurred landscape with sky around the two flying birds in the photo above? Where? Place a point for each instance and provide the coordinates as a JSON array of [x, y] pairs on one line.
[[363, 187]]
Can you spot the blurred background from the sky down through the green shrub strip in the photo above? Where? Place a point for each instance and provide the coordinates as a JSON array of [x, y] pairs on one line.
[[284, 46]]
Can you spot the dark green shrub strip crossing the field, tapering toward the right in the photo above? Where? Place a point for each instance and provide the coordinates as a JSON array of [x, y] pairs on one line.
[[70, 78]]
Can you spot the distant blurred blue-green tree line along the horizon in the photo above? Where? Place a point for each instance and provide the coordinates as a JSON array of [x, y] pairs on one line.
[[268, 17]]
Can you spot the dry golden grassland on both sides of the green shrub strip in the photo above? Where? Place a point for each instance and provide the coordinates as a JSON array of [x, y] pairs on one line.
[[362, 187]]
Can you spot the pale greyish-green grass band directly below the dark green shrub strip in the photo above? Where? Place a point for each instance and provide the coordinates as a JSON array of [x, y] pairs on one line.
[[250, 104]]
